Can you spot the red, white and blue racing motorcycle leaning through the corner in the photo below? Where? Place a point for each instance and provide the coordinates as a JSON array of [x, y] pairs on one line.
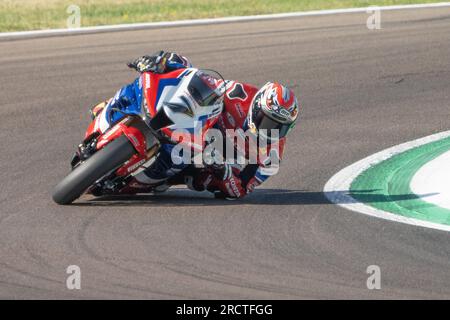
[[116, 148]]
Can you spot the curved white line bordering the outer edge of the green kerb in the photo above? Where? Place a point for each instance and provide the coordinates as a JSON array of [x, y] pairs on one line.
[[337, 188]]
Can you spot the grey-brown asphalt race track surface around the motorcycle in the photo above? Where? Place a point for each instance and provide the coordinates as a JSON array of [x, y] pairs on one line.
[[361, 90]]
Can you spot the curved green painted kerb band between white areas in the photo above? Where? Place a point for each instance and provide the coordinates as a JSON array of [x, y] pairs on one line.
[[386, 186]]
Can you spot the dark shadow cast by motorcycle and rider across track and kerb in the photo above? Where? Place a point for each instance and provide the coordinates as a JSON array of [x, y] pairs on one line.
[[187, 198]]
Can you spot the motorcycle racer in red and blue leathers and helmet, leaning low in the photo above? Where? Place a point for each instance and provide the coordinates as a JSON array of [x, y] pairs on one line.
[[246, 107]]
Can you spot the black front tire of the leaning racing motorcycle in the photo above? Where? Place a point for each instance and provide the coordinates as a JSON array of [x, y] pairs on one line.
[[87, 173]]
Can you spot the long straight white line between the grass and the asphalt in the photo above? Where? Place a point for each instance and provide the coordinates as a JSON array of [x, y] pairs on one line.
[[197, 22]]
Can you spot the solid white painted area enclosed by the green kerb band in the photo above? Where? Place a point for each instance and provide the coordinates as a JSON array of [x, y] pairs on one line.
[[434, 178]]
